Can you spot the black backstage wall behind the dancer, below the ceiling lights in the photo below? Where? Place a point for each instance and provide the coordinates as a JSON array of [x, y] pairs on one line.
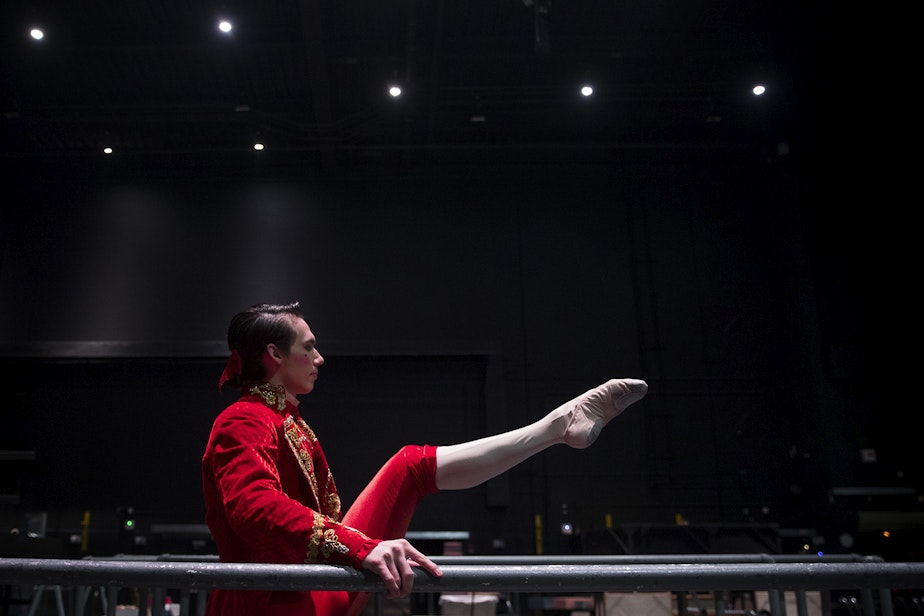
[[701, 278]]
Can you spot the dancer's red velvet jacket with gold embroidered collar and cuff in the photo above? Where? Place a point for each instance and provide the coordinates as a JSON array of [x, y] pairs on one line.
[[270, 497]]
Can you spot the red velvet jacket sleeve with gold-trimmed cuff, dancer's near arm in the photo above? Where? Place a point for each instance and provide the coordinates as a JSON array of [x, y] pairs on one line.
[[244, 454]]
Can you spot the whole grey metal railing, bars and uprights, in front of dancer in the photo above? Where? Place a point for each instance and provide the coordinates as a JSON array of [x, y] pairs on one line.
[[873, 578]]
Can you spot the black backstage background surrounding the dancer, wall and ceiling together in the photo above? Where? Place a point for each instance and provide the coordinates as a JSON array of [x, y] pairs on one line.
[[462, 277]]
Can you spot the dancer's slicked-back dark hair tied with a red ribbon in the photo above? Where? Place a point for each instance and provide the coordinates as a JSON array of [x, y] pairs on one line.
[[254, 328]]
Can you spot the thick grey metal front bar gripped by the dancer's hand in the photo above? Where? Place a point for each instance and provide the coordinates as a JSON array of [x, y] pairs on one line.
[[532, 578]]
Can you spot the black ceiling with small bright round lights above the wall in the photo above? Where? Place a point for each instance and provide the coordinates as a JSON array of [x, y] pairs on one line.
[[306, 76]]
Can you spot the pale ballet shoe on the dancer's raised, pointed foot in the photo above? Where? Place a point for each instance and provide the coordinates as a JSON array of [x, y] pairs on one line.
[[589, 412]]
